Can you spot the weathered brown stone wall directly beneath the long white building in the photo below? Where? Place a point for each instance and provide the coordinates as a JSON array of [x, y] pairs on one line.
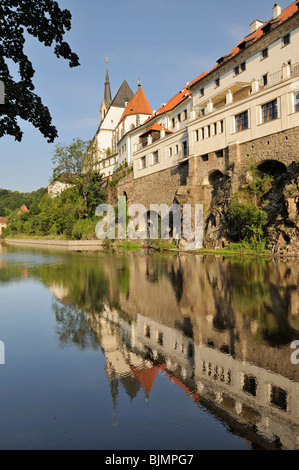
[[202, 171]]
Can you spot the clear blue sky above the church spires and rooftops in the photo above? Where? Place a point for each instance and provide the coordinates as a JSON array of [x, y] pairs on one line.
[[164, 42]]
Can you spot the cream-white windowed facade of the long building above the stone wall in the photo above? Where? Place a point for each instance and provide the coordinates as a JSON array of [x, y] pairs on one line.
[[266, 72]]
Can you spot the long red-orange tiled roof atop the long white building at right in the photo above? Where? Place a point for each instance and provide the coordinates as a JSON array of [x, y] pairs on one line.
[[255, 36]]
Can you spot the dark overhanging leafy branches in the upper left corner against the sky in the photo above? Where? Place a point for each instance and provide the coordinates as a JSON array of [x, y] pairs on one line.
[[44, 20]]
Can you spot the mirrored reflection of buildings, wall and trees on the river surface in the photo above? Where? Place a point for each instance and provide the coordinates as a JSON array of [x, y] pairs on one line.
[[218, 328]]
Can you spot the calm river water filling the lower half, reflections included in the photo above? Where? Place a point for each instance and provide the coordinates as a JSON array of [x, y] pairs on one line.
[[136, 351]]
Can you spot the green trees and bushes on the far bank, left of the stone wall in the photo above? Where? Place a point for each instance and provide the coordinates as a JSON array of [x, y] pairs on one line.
[[71, 214]]
